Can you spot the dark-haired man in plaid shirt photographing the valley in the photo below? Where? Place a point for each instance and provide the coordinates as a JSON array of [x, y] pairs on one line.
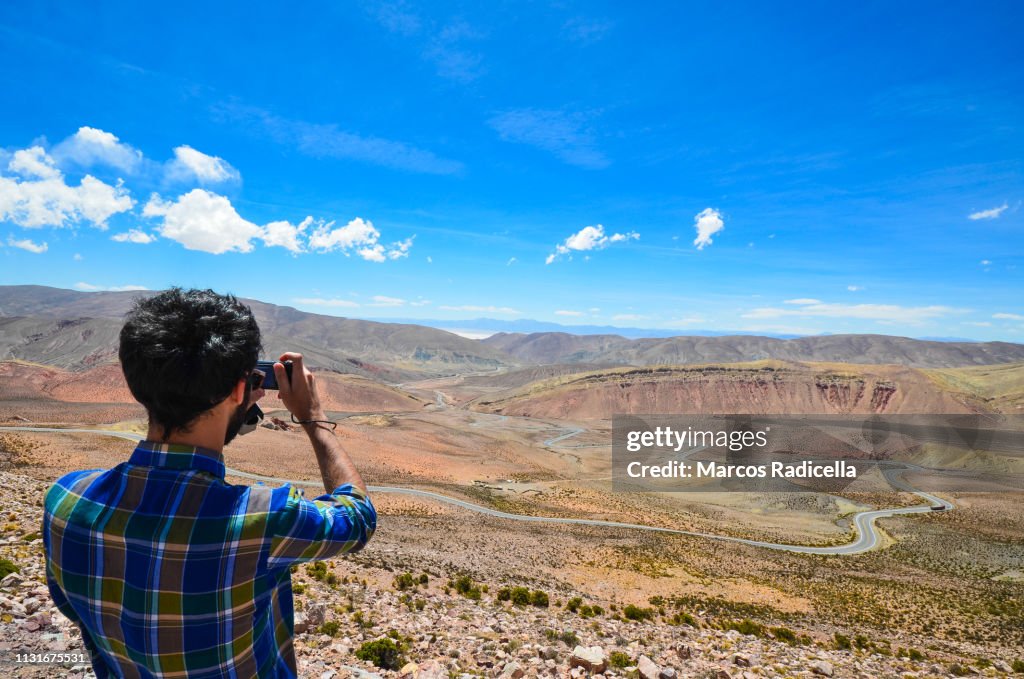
[[168, 570]]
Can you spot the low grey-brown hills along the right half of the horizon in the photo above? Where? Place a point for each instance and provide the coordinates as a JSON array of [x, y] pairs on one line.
[[615, 351]]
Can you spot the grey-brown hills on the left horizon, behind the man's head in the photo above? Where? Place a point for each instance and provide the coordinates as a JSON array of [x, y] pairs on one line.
[[73, 330]]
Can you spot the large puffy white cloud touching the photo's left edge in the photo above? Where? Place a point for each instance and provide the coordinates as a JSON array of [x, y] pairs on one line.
[[40, 197]]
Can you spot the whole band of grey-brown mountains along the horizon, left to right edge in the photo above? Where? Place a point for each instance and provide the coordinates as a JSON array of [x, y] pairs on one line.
[[79, 330]]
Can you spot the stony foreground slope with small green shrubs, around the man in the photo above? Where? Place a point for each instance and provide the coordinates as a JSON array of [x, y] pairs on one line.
[[358, 615]]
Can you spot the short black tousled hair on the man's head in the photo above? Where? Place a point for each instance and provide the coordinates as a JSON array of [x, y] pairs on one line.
[[183, 352]]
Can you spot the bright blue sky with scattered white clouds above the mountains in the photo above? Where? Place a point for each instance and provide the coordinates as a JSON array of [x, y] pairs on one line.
[[767, 167]]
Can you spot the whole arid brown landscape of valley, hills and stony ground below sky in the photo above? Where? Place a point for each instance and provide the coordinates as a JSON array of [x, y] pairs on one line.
[[521, 426]]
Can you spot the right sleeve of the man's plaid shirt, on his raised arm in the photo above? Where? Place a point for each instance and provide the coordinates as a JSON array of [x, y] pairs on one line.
[[310, 530]]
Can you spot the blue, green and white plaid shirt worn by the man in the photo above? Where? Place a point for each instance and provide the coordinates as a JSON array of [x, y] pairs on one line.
[[170, 572]]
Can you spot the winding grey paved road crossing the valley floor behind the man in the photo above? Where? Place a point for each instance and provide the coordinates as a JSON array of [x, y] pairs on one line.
[[865, 523]]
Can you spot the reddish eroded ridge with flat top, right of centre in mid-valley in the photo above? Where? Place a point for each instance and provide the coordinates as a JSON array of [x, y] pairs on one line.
[[761, 388]]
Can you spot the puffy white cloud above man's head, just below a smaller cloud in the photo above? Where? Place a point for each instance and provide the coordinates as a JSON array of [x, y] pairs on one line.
[[204, 222]]
